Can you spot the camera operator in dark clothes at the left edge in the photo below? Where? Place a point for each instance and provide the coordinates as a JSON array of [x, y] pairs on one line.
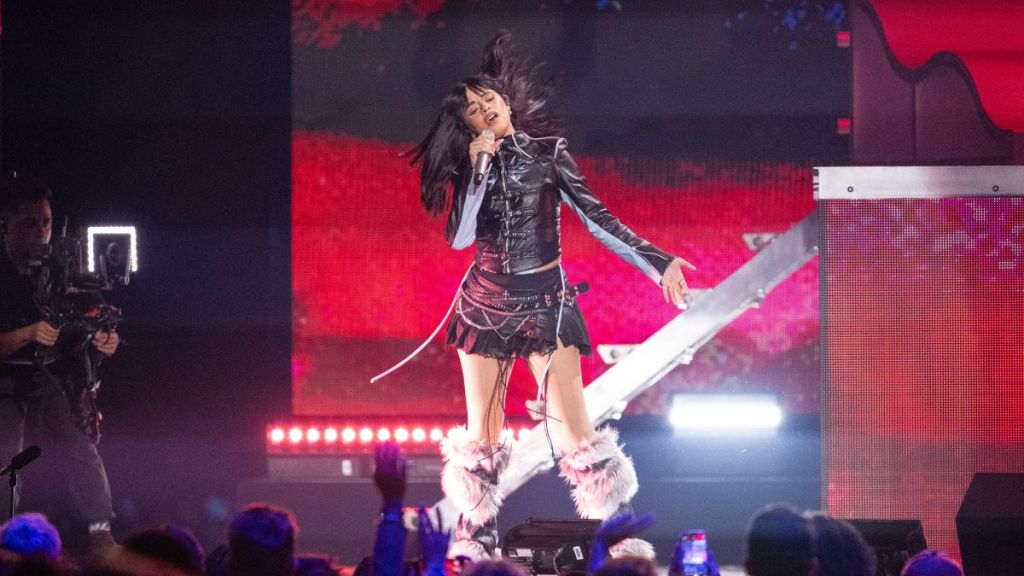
[[35, 404]]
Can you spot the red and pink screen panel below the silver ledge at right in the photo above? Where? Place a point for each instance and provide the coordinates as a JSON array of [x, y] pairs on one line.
[[924, 321]]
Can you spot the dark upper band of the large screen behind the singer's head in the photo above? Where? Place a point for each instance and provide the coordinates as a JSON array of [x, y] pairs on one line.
[[736, 79]]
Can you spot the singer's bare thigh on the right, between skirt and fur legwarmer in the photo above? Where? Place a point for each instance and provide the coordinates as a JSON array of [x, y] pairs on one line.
[[565, 395]]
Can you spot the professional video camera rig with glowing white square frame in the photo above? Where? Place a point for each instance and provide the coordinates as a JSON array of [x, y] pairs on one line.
[[71, 280]]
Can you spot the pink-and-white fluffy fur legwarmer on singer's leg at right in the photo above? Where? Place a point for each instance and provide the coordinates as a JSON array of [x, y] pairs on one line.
[[603, 476]]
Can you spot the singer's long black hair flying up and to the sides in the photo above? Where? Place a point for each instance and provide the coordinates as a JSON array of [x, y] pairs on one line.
[[443, 152]]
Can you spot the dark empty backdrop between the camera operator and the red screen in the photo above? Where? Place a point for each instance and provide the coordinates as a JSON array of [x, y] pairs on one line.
[[174, 117]]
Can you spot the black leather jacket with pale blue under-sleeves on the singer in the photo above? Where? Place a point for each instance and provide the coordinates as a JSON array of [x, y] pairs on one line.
[[517, 224]]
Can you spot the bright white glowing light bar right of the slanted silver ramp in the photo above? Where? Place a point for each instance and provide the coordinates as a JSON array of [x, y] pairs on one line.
[[698, 413]]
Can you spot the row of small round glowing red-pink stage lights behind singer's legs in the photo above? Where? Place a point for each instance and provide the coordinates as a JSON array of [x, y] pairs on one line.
[[296, 438]]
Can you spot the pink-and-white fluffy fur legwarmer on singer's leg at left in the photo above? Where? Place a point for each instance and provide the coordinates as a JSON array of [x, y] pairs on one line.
[[466, 477]]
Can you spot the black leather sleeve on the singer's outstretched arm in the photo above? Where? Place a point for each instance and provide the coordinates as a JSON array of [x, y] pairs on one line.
[[603, 225]]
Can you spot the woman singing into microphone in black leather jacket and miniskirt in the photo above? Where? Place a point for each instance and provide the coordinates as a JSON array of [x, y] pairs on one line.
[[516, 301]]
